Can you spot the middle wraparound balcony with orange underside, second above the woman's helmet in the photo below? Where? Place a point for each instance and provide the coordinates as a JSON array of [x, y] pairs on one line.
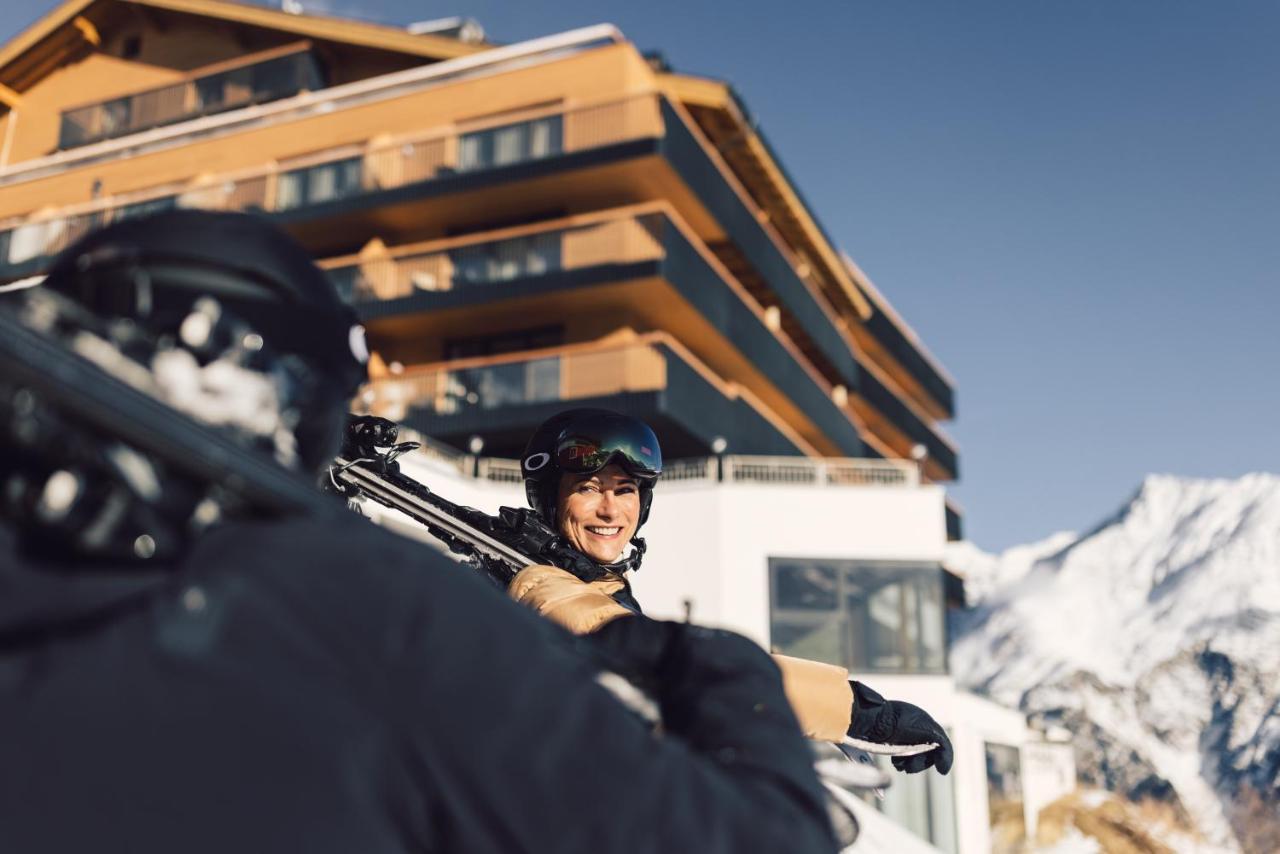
[[642, 262]]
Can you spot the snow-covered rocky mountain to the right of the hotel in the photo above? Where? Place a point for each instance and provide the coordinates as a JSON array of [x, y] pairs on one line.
[[1156, 640]]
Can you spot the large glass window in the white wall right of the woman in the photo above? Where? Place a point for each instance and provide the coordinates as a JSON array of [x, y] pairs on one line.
[[866, 616]]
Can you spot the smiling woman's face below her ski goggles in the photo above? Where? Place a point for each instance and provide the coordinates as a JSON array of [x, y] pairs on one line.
[[598, 514]]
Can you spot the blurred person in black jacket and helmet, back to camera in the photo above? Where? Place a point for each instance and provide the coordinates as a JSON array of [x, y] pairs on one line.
[[314, 683]]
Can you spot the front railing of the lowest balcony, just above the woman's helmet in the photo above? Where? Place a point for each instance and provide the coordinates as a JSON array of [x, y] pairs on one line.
[[488, 385]]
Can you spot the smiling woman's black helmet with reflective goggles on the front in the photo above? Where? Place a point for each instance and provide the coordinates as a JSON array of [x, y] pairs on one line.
[[586, 441]]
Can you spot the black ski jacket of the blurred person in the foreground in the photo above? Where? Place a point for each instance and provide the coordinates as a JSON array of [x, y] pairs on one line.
[[327, 687]]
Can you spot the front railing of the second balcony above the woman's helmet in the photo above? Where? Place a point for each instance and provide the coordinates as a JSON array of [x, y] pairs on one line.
[[447, 266]]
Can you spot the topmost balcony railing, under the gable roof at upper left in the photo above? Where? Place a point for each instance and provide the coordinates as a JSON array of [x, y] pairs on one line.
[[259, 83]]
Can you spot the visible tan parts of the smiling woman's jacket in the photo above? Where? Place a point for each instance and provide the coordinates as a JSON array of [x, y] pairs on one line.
[[820, 695]]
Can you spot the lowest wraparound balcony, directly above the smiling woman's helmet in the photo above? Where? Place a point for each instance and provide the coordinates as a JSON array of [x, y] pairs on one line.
[[504, 399]]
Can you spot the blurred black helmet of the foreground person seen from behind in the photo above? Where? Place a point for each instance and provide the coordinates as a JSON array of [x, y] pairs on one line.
[[156, 270]]
